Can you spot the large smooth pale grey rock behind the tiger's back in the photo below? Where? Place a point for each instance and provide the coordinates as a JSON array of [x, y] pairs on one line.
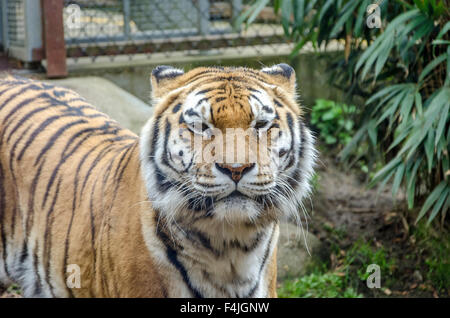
[[128, 110]]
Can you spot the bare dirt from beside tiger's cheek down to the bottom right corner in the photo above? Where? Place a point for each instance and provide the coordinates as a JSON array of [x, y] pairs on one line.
[[344, 204]]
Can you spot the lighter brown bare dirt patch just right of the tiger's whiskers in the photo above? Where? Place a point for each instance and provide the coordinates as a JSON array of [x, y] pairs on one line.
[[344, 202]]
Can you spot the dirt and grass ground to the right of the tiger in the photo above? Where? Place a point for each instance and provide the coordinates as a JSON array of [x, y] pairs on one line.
[[358, 227]]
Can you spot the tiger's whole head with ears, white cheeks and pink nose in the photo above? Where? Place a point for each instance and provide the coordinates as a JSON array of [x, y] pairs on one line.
[[227, 144]]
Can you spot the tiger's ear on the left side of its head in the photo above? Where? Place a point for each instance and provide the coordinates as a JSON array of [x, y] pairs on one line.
[[164, 79]]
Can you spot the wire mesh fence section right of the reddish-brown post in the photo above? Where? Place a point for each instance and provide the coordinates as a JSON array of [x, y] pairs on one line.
[[169, 27]]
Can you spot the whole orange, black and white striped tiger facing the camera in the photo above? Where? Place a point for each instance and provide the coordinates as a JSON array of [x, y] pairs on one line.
[[89, 209]]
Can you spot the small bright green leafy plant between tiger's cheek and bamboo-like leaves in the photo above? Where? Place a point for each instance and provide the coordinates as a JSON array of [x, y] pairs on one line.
[[334, 121]]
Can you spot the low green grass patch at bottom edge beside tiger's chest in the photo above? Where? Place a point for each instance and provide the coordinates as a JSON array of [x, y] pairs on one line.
[[317, 285]]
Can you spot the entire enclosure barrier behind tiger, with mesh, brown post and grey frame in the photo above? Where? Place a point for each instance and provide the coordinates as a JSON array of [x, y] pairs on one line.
[[131, 28]]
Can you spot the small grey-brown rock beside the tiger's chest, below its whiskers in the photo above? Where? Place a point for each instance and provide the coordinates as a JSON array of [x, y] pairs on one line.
[[292, 254]]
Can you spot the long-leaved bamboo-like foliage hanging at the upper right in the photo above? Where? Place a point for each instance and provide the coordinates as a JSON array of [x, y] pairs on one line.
[[403, 70]]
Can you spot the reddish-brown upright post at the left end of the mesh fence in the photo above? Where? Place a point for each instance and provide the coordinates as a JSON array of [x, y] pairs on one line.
[[55, 47]]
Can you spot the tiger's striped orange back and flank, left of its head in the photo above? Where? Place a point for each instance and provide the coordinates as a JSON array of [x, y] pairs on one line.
[[62, 178]]
